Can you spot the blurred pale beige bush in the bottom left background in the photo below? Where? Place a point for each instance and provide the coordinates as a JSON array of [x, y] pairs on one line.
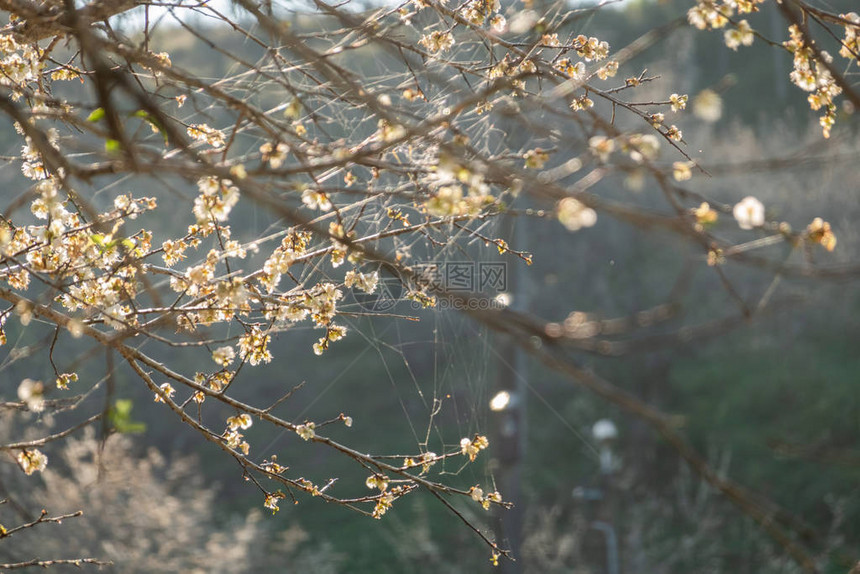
[[143, 513]]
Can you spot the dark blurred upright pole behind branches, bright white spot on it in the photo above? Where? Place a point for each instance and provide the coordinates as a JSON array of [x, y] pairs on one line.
[[508, 413]]
